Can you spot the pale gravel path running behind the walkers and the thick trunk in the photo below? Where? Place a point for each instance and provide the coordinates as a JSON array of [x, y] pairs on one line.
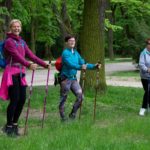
[[41, 75]]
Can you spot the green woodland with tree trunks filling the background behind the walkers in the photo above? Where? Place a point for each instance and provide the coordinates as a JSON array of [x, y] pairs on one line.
[[104, 28]]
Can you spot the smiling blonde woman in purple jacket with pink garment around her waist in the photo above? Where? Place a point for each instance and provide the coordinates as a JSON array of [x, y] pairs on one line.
[[14, 84]]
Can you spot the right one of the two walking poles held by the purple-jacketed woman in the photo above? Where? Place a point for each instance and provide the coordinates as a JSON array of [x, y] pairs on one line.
[[45, 98]]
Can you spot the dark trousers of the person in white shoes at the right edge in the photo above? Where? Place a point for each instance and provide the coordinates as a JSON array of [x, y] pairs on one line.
[[146, 97]]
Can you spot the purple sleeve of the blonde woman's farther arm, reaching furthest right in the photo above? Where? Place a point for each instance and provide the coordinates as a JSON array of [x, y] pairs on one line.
[[33, 57]]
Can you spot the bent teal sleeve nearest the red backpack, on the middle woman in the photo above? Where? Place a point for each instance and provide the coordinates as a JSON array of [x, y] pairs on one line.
[[68, 61]]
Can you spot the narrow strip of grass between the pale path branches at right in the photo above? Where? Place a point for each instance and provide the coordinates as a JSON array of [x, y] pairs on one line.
[[126, 73]]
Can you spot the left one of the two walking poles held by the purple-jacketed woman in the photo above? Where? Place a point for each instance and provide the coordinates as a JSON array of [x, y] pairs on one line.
[[29, 98]]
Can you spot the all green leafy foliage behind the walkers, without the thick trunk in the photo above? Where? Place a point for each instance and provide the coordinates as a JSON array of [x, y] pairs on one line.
[[131, 24]]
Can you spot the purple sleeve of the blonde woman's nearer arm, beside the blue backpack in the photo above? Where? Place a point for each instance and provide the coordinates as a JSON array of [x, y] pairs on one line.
[[10, 49]]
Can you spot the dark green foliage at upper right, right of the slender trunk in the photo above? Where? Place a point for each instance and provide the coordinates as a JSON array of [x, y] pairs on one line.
[[132, 16]]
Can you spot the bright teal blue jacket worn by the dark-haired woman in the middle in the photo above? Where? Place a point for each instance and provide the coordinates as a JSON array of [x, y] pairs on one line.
[[72, 61]]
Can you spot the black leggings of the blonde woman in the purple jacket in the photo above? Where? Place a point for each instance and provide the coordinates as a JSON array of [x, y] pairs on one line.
[[17, 94]]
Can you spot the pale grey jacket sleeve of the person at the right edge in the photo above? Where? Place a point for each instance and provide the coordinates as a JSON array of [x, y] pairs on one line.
[[142, 65]]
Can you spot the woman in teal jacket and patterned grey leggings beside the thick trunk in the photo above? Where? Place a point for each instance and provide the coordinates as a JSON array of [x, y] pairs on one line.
[[72, 61]]
